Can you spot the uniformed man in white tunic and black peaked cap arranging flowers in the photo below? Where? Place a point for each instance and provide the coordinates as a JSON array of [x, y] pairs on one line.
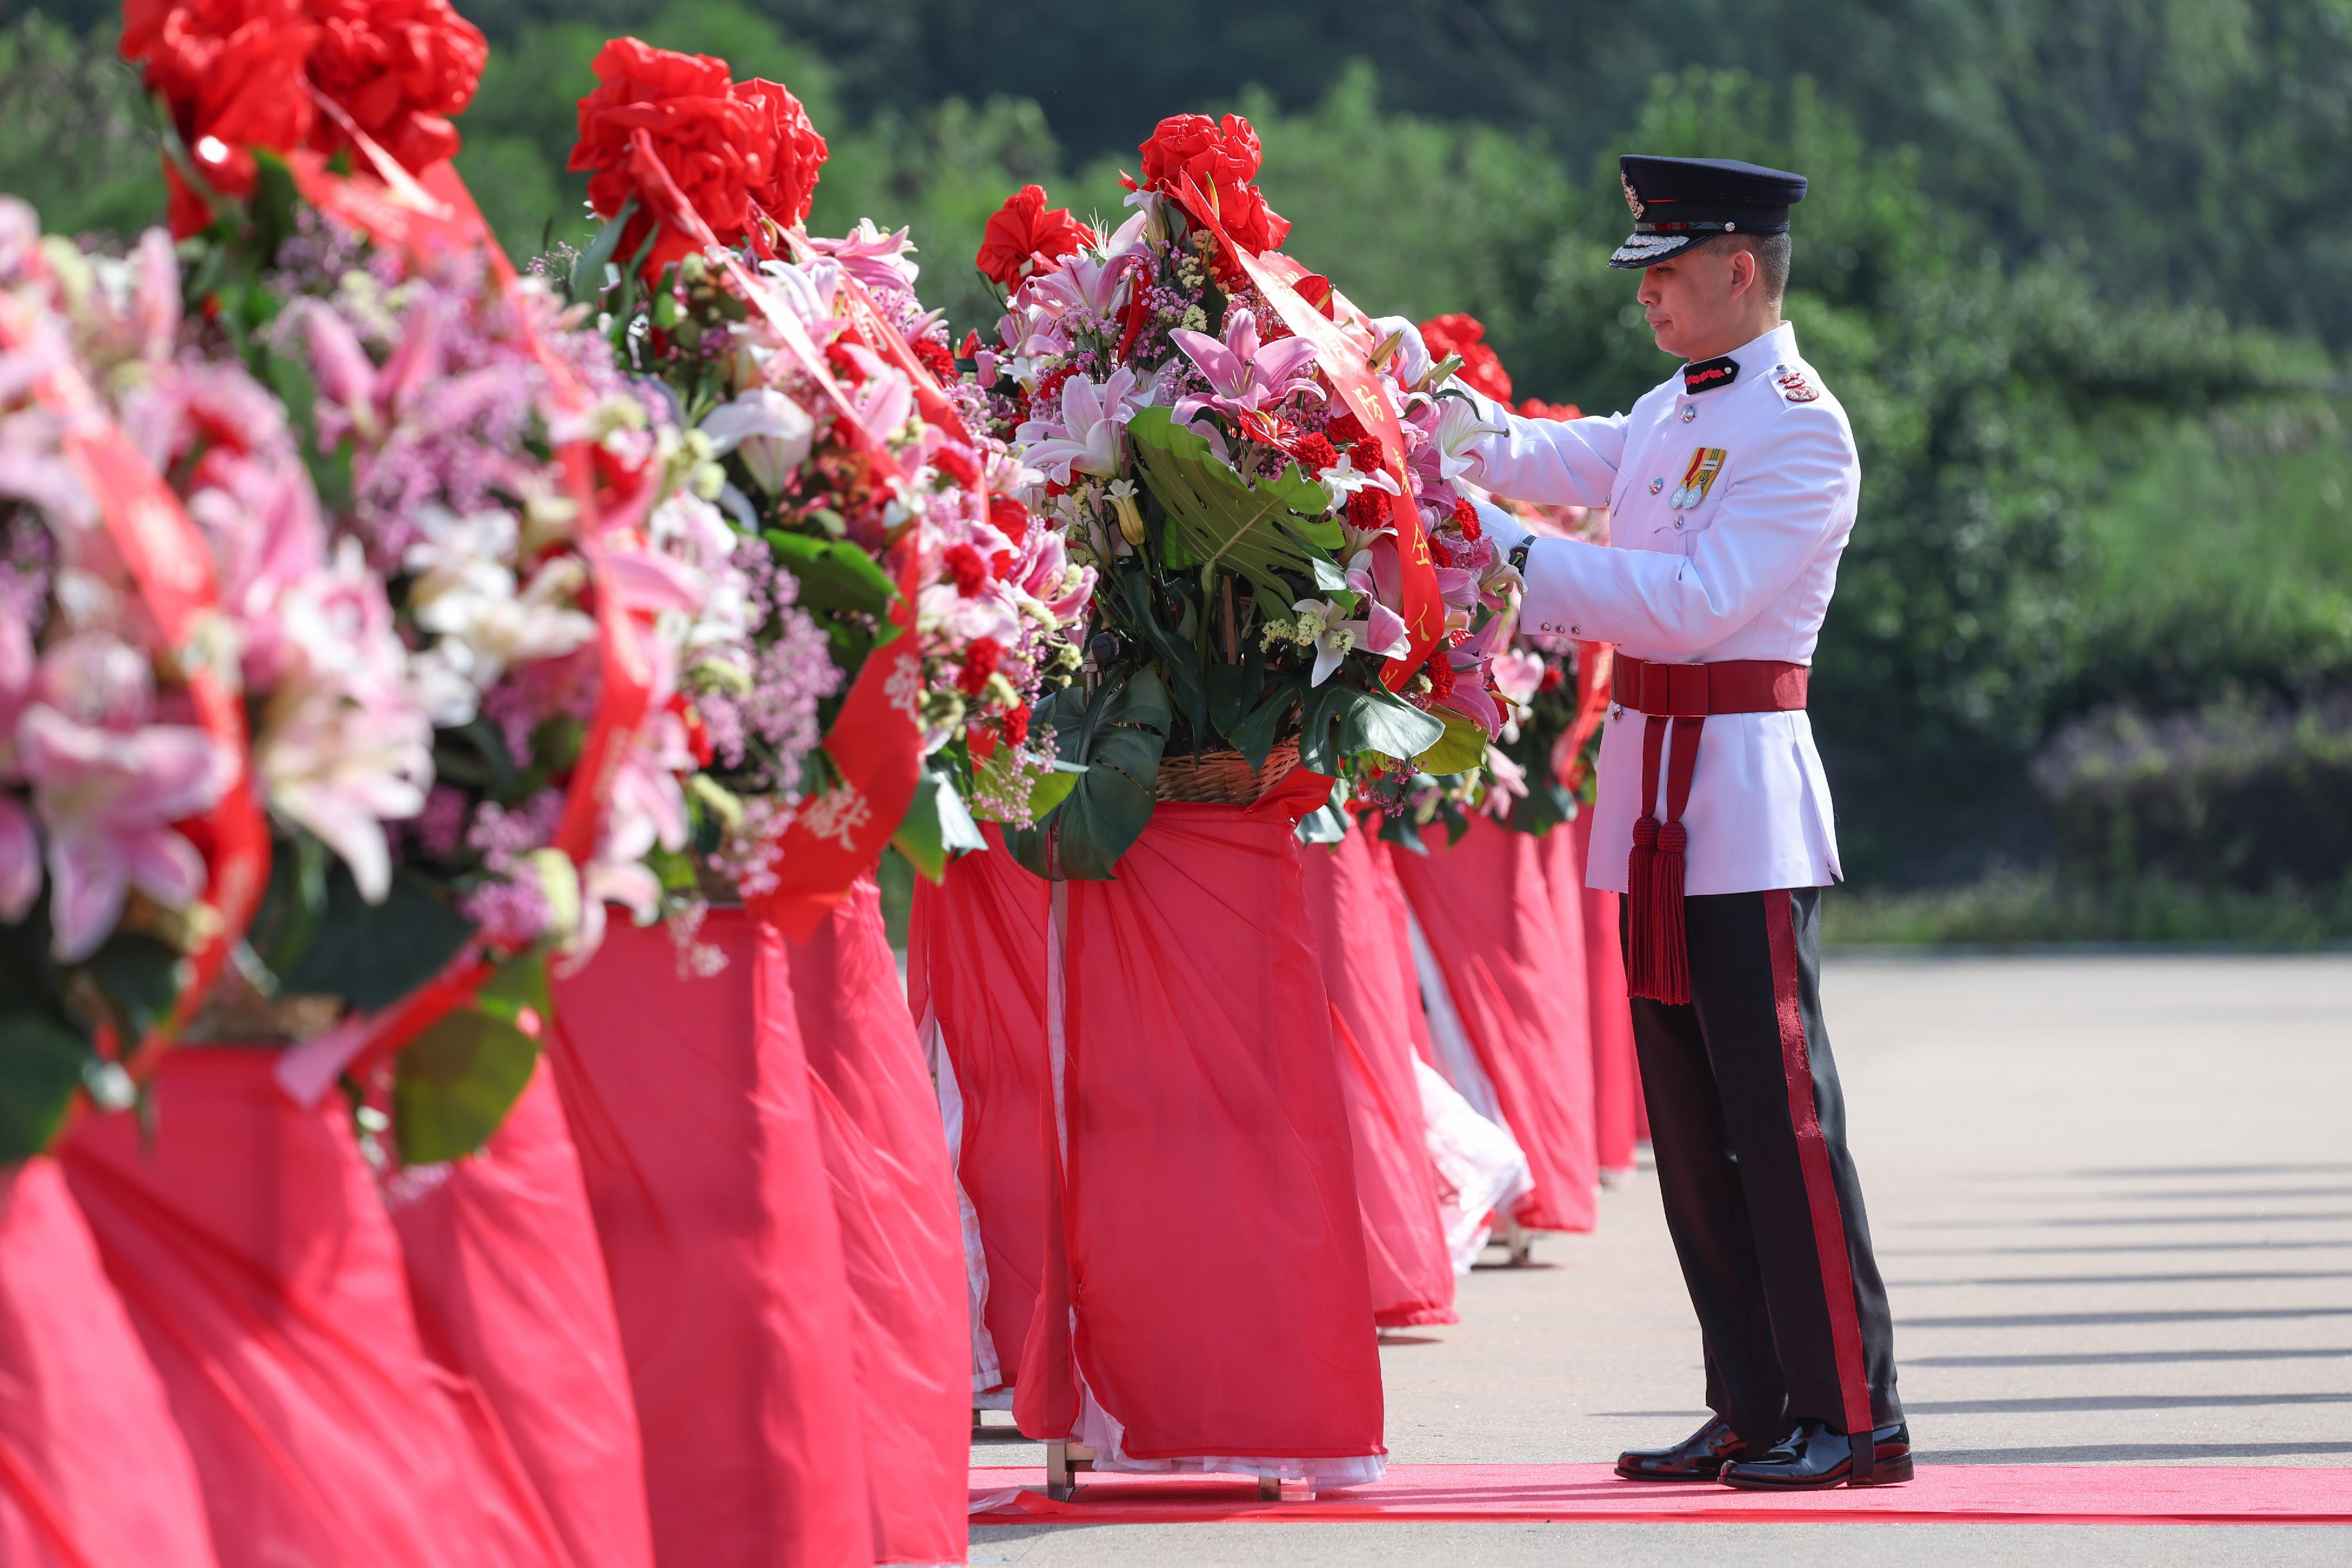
[[1730, 492]]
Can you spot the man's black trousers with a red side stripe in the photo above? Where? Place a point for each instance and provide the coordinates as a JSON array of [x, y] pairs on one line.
[[1760, 1193]]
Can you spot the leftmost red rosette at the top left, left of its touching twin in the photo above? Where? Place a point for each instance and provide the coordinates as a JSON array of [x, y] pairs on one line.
[[232, 74]]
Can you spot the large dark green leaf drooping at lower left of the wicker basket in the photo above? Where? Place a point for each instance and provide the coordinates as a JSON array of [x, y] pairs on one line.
[[1121, 737]]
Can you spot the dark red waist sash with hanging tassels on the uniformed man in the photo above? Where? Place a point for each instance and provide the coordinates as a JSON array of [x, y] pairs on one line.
[[1681, 699]]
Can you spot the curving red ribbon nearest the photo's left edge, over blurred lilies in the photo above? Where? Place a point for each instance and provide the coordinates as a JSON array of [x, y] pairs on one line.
[[173, 570]]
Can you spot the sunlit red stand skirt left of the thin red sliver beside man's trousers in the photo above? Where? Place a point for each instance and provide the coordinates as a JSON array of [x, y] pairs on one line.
[[1488, 911]]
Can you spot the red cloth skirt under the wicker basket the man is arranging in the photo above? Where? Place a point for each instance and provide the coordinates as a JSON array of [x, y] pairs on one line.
[[1210, 1231]]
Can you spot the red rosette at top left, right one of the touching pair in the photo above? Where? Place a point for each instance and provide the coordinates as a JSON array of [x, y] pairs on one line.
[[399, 69]]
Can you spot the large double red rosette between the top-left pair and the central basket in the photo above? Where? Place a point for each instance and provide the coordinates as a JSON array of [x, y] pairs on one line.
[[737, 152]]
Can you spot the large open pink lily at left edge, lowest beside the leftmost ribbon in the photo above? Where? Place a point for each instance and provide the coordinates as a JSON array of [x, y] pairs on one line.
[[109, 803]]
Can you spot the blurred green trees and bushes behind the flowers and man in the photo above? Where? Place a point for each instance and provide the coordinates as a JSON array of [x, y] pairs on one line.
[[2083, 276]]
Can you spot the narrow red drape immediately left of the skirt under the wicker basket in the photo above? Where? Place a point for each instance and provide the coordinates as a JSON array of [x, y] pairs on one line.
[[975, 984]]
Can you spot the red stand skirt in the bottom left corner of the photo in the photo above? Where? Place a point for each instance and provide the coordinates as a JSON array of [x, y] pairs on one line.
[[93, 1470]]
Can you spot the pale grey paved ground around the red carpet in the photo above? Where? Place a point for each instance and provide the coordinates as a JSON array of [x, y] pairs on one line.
[[2113, 1202]]
